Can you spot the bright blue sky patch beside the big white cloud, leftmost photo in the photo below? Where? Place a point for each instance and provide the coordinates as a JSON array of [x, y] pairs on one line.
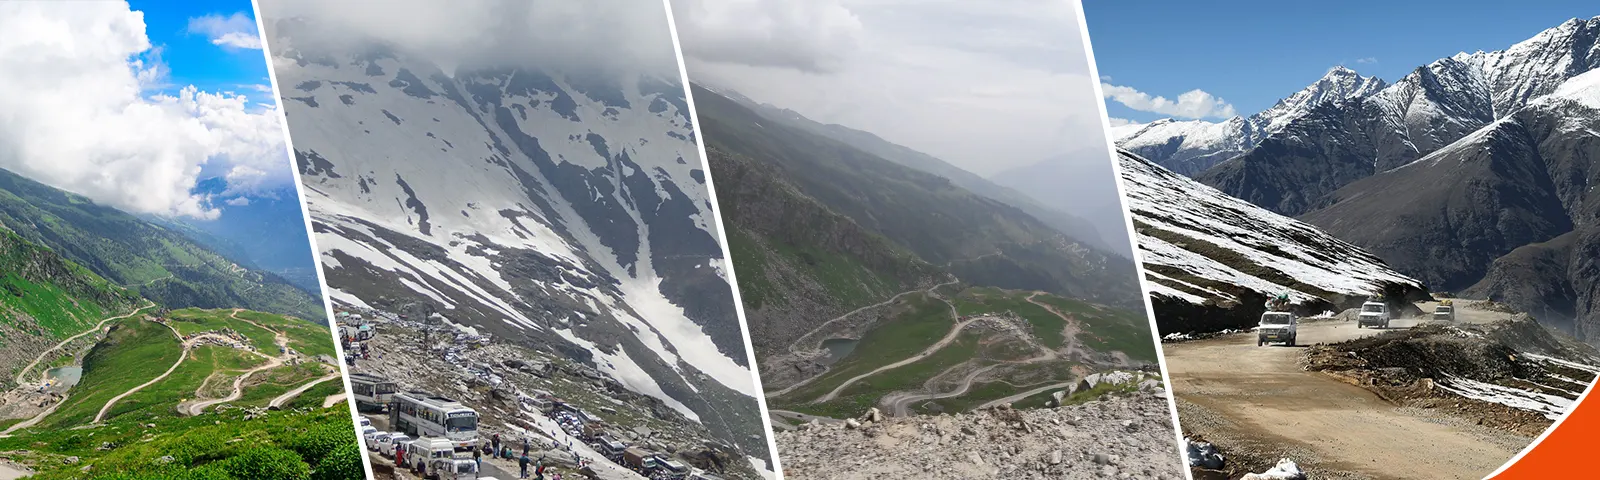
[[198, 49]]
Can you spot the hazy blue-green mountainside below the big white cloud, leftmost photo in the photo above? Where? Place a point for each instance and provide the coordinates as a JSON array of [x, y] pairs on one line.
[[161, 265]]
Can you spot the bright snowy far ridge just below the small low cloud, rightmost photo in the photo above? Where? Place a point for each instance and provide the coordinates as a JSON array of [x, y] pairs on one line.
[[1193, 146]]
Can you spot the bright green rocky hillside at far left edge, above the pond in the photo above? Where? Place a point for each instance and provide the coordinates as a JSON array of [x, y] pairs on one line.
[[62, 297]]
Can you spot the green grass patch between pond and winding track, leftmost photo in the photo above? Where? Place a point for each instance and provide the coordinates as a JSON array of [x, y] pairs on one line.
[[135, 353]]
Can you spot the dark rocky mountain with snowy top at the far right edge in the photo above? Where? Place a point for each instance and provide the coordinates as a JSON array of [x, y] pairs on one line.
[[1516, 204]]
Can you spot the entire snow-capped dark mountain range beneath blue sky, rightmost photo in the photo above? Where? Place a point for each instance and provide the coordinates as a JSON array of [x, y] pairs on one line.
[[1471, 175]]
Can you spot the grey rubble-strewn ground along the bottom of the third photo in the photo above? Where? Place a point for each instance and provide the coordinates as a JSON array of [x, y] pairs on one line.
[[1106, 439]]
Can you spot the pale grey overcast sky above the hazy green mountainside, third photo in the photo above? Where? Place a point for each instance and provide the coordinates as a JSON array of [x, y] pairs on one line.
[[985, 86]]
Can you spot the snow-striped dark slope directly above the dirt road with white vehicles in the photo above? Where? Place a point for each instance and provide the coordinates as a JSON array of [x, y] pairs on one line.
[[1206, 249]]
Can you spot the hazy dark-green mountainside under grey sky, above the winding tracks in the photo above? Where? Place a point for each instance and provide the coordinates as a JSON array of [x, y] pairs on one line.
[[823, 222]]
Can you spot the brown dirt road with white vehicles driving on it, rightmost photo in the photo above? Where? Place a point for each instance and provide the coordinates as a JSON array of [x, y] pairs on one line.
[[1239, 394]]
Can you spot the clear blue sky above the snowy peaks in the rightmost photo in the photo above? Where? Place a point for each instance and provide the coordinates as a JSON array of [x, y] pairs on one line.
[[1252, 54]]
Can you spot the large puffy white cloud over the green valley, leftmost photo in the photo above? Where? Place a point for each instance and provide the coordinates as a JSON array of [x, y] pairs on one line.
[[74, 87]]
